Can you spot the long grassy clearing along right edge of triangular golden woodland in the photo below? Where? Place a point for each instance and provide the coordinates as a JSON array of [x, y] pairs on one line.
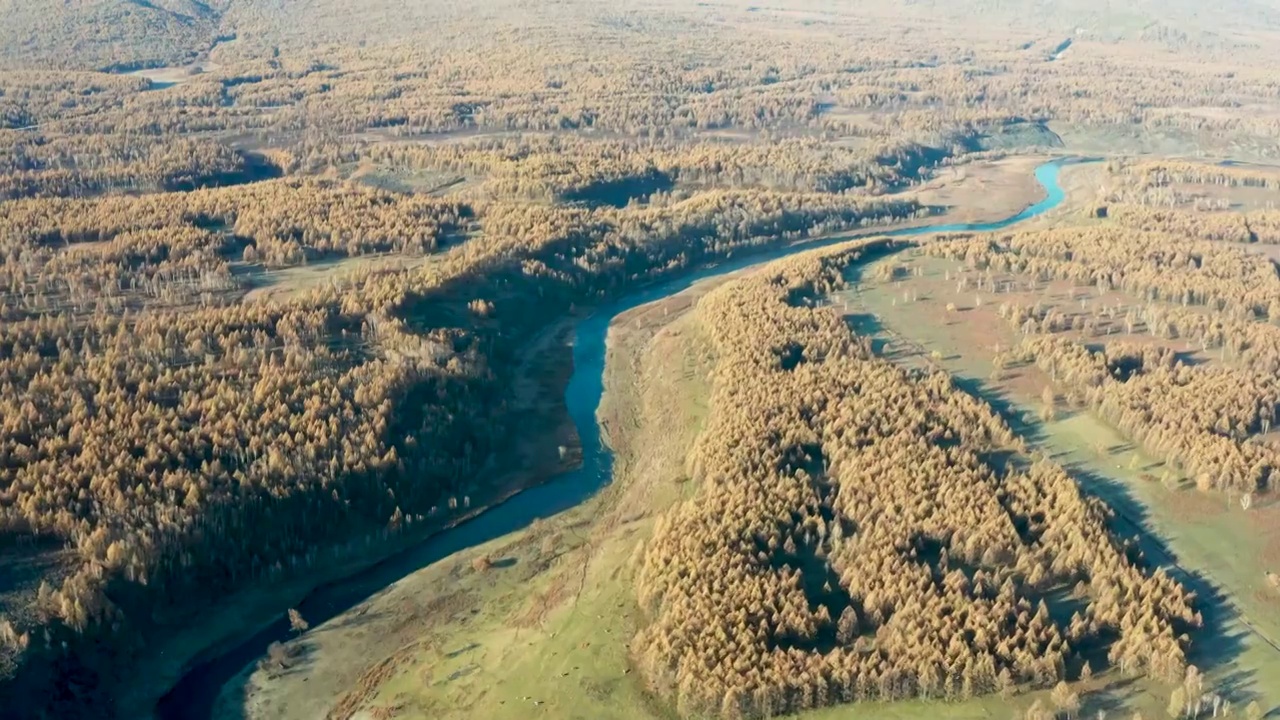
[[1205, 537]]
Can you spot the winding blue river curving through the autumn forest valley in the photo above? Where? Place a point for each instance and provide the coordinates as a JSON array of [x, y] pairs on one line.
[[196, 692]]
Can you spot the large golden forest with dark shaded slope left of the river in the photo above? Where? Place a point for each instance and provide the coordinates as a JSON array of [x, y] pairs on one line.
[[204, 444]]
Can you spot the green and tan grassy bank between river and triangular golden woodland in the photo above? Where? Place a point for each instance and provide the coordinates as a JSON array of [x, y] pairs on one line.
[[556, 645]]
